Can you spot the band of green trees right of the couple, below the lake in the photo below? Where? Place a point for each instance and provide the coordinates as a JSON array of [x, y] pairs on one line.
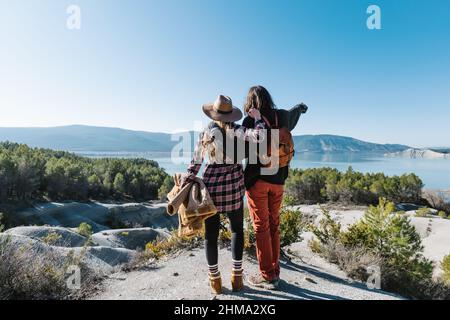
[[326, 184]]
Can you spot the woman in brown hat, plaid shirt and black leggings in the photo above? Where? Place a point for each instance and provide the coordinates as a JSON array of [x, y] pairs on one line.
[[224, 179]]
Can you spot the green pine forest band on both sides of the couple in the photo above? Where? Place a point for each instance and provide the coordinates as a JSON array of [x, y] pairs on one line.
[[32, 173]]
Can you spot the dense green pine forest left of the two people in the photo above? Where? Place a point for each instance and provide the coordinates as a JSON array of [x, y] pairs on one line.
[[31, 173]]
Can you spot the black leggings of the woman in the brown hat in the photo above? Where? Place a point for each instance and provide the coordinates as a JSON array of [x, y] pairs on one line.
[[212, 228]]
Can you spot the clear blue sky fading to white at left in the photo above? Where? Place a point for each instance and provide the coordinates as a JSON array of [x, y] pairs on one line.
[[150, 65]]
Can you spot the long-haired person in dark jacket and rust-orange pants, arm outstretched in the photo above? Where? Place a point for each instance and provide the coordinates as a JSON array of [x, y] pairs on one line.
[[265, 191]]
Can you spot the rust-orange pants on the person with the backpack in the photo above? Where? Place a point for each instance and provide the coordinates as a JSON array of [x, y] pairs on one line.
[[264, 203]]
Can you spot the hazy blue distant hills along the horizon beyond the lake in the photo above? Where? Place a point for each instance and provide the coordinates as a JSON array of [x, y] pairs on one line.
[[89, 138]]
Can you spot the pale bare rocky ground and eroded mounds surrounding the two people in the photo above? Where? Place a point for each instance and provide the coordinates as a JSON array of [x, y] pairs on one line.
[[183, 276]]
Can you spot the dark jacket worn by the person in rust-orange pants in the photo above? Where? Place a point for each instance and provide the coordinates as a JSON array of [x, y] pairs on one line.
[[286, 118]]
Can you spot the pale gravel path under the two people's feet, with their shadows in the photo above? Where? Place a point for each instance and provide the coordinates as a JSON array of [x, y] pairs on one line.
[[183, 277]]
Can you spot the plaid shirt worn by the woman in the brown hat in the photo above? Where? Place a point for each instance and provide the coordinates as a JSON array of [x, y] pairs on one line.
[[224, 181]]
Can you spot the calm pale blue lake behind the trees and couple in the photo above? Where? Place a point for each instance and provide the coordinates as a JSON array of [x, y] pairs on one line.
[[435, 173]]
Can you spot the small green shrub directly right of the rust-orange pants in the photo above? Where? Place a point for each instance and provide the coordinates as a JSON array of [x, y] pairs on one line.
[[291, 226]]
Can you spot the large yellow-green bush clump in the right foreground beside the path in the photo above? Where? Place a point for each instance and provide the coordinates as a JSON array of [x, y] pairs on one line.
[[386, 237]]
